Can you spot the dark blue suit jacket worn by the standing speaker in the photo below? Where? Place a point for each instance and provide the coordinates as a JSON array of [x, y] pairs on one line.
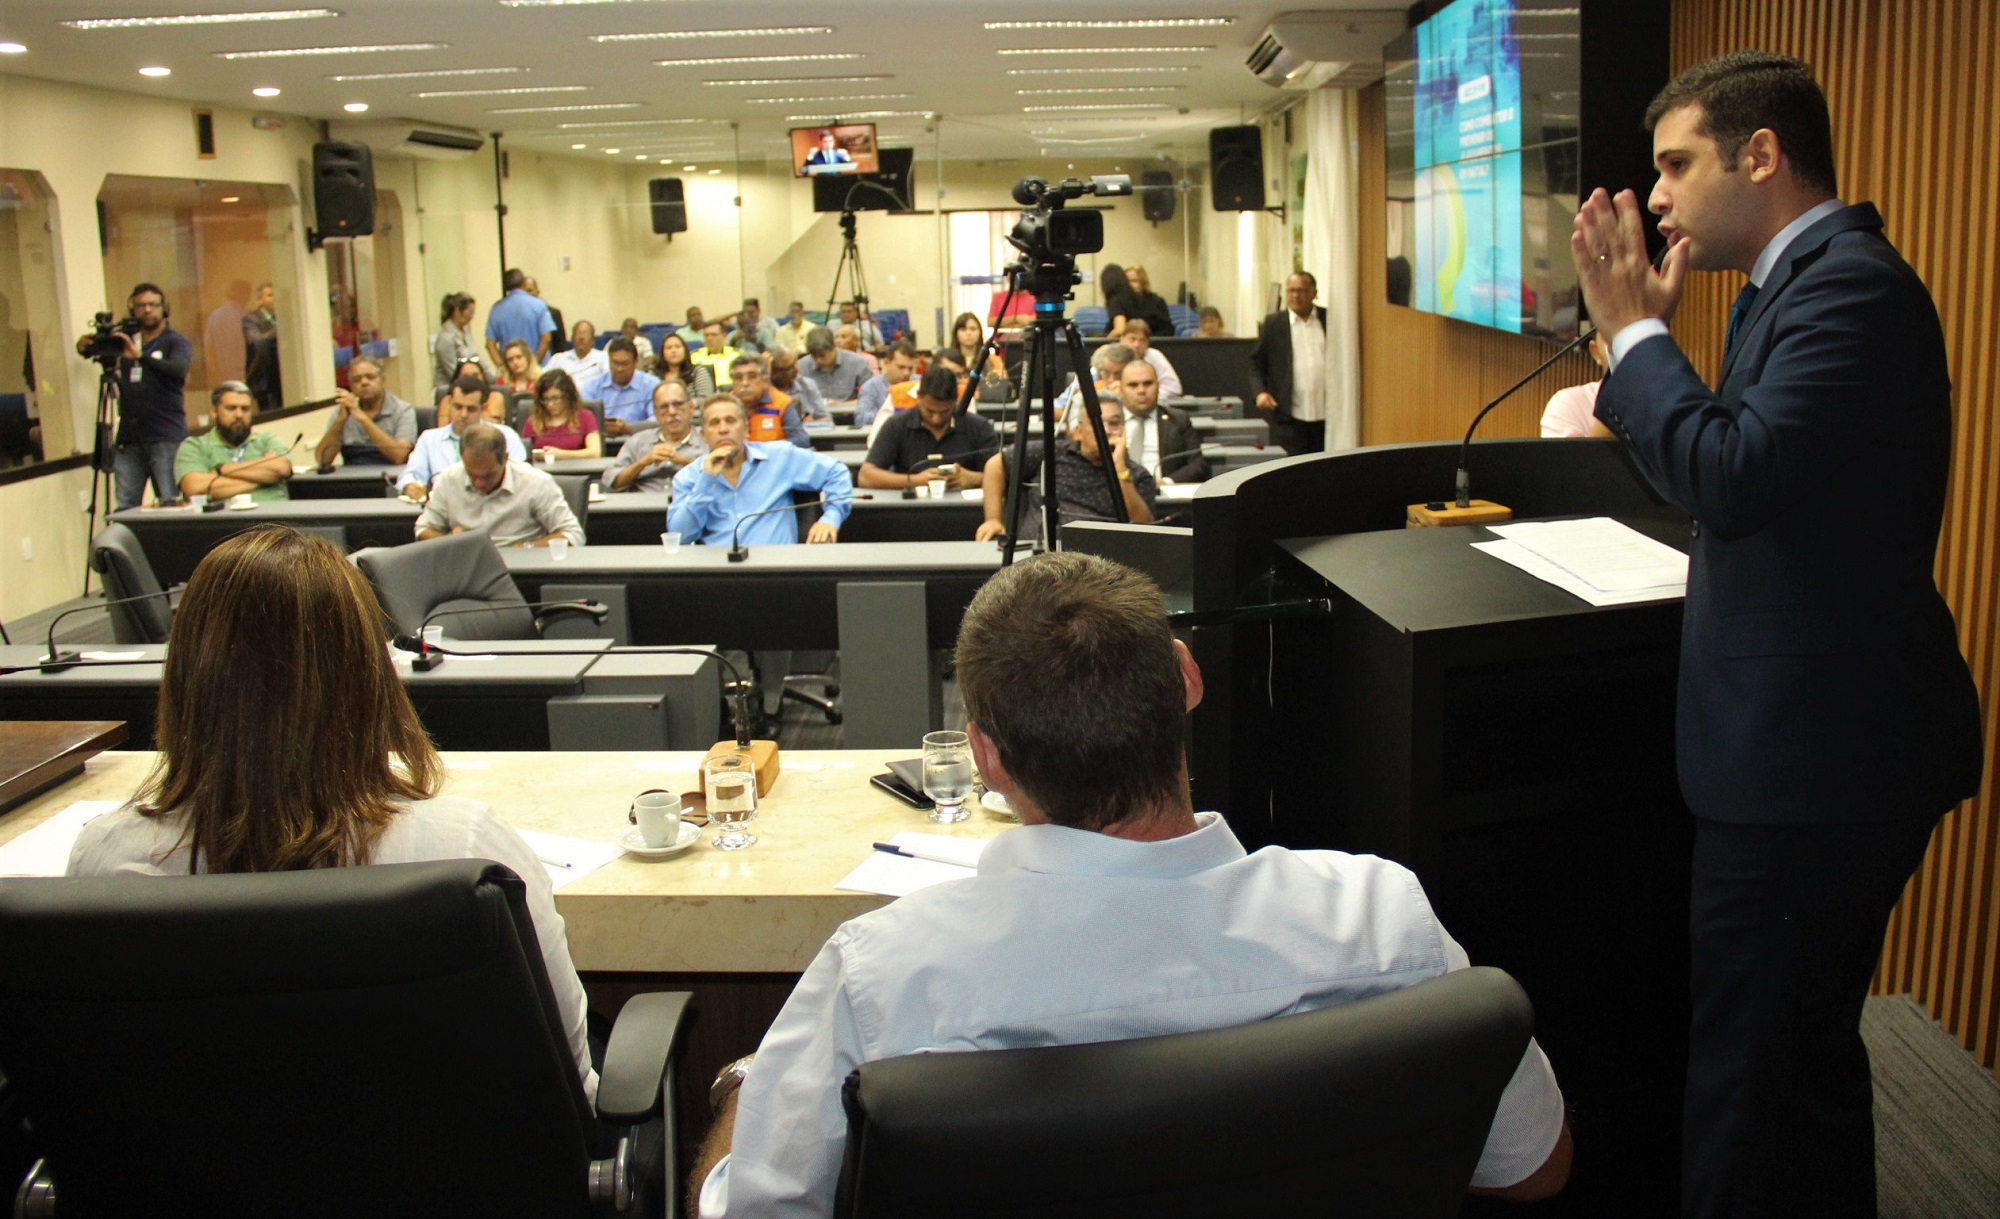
[[1821, 676]]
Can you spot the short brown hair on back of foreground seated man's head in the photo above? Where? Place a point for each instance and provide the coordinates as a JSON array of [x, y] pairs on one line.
[[1069, 666]]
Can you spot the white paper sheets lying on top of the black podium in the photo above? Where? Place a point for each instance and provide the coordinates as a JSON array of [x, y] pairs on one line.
[[1597, 561]]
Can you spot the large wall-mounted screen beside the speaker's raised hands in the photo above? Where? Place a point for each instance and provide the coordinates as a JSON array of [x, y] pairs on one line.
[[1483, 145]]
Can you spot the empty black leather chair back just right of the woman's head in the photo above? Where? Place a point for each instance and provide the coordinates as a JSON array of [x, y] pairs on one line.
[[455, 573]]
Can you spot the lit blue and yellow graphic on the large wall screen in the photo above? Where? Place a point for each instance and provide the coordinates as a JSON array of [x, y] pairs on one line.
[[1469, 253]]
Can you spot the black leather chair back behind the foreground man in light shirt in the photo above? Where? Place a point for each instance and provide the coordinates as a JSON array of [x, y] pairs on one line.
[[1373, 1108]]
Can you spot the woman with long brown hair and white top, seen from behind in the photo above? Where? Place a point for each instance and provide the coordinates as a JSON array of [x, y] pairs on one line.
[[287, 742]]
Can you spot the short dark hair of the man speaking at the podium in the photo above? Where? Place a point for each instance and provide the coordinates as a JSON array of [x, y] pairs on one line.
[[1747, 91]]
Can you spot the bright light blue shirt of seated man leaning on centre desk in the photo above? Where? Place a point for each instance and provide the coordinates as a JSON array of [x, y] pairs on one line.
[[707, 507]]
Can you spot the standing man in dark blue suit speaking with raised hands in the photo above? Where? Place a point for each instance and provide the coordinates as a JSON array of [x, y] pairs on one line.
[[1827, 718]]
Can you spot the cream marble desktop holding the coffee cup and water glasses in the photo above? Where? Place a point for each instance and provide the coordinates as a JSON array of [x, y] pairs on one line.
[[727, 912]]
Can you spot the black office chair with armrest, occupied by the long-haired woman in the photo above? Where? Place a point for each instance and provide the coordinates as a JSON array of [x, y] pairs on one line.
[[329, 1042]]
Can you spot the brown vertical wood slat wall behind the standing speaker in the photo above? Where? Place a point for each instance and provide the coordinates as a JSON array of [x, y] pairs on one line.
[[1917, 129]]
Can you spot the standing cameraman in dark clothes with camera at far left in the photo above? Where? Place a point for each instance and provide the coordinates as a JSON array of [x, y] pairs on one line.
[[151, 365]]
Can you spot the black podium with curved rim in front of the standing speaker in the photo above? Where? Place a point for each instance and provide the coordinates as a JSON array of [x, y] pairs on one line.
[[1509, 742]]
